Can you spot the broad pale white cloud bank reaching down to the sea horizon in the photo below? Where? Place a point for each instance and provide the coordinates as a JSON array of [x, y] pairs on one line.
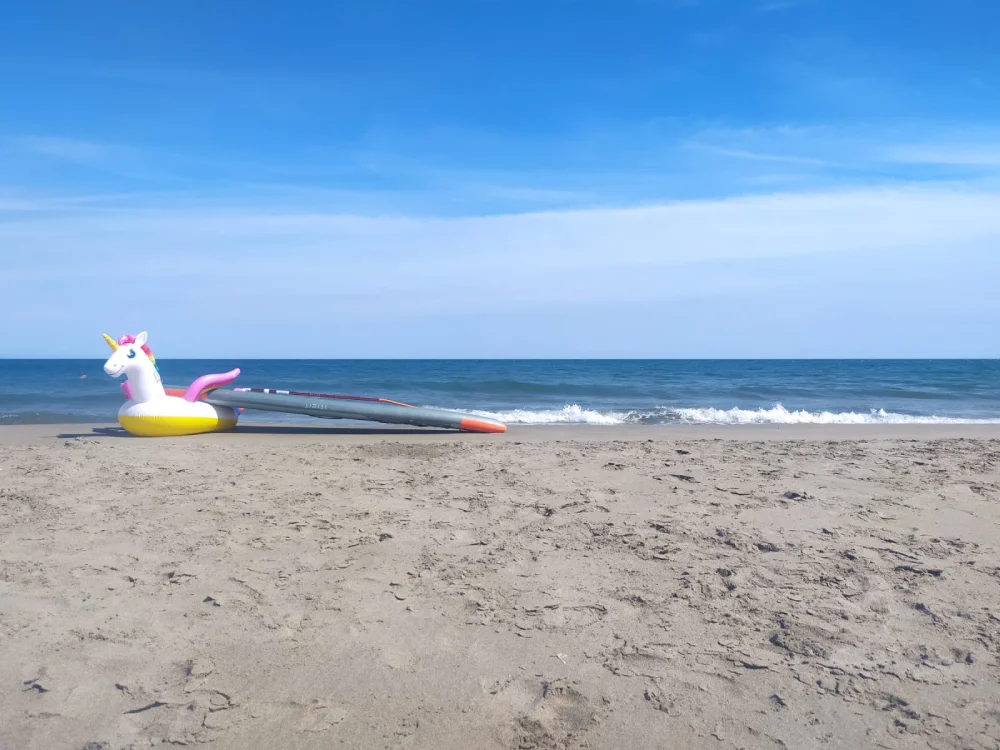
[[275, 282]]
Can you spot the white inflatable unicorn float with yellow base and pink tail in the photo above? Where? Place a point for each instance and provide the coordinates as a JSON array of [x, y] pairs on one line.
[[150, 410]]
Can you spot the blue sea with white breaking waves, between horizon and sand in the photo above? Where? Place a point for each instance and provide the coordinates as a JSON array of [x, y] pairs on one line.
[[559, 391]]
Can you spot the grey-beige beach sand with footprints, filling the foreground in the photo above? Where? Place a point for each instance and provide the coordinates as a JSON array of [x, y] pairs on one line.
[[630, 588]]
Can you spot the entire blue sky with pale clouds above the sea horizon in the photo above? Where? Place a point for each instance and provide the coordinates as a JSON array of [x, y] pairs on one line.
[[501, 178]]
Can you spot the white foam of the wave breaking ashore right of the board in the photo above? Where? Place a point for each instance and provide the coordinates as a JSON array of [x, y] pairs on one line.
[[574, 414]]
